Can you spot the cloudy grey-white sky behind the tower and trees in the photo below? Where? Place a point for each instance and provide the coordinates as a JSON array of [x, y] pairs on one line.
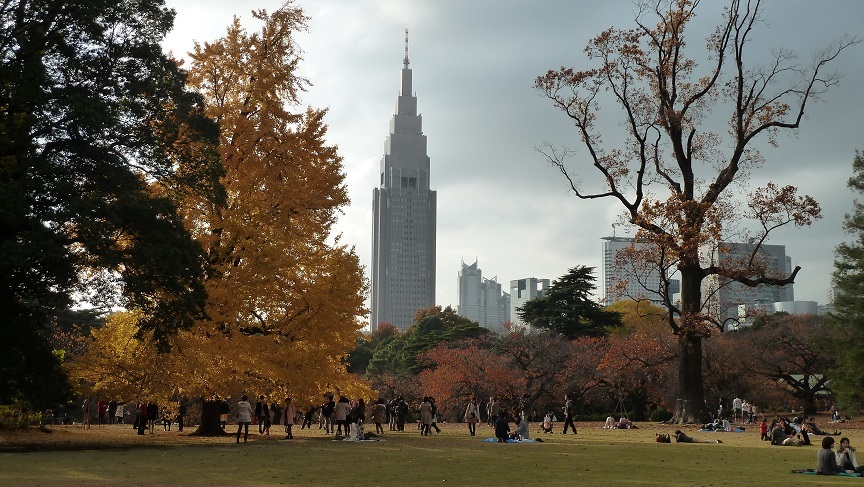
[[474, 63]]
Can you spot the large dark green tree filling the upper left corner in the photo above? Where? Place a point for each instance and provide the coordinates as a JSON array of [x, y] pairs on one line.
[[98, 138]]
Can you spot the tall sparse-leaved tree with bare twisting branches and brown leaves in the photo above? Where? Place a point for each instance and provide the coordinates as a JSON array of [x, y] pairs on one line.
[[673, 174]]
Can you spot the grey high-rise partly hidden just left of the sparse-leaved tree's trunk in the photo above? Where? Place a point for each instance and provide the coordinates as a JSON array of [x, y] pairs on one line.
[[642, 282]]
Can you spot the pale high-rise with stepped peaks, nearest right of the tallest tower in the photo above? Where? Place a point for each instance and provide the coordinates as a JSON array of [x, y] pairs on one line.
[[480, 299]]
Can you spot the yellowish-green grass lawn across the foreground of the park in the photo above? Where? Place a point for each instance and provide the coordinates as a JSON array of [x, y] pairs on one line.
[[116, 456]]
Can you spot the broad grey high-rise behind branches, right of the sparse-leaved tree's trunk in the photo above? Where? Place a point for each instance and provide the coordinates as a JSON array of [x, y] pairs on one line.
[[729, 299]]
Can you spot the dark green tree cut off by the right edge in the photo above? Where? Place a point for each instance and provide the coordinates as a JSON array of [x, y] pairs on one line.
[[848, 380]]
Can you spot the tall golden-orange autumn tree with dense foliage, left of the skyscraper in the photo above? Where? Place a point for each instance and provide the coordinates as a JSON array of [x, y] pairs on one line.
[[285, 295]]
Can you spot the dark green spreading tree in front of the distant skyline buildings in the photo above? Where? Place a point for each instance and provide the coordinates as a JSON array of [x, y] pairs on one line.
[[567, 307]]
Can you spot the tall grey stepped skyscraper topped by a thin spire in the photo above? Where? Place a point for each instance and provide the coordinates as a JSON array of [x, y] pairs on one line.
[[404, 214]]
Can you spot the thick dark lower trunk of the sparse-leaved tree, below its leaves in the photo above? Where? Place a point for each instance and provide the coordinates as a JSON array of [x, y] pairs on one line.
[[690, 406]]
